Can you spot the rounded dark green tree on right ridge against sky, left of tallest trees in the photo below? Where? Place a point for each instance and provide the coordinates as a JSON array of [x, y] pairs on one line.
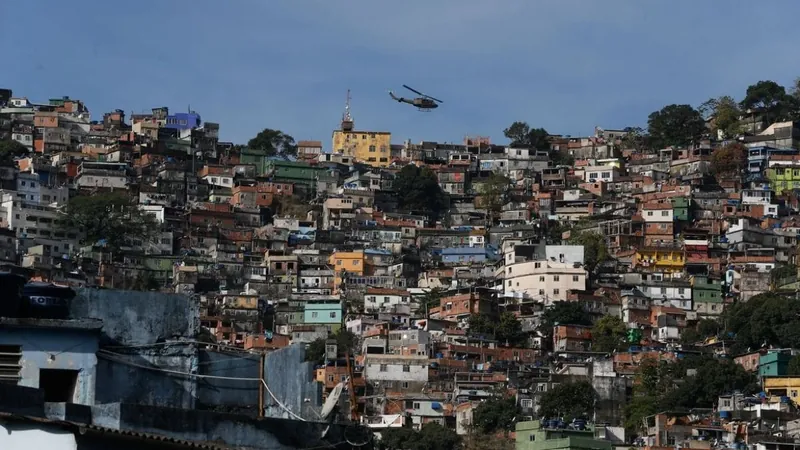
[[675, 125]]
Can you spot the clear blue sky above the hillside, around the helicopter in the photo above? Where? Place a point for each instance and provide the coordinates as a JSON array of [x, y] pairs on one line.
[[565, 65]]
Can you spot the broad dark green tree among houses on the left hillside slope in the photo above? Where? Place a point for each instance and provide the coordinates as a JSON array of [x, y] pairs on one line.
[[109, 217]]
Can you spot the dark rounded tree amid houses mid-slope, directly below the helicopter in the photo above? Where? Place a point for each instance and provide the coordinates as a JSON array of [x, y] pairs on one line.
[[418, 190]]
